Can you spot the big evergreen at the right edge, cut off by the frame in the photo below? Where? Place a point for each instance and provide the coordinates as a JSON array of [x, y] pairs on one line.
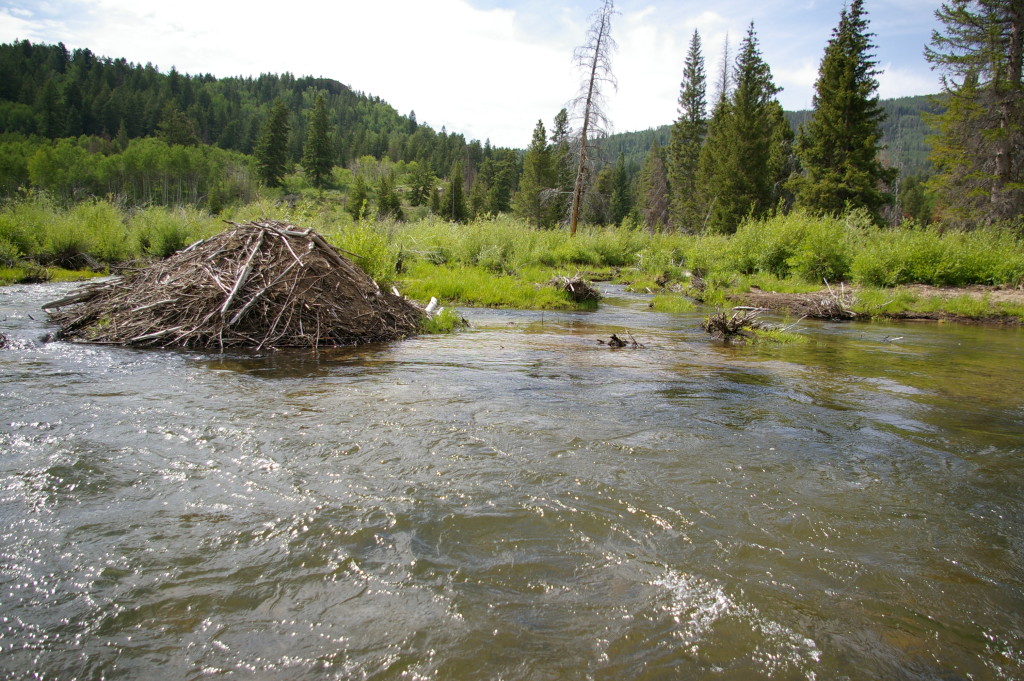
[[979, 149]]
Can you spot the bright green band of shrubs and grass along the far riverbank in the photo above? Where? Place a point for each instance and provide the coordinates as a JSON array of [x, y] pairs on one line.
[[841, 268]]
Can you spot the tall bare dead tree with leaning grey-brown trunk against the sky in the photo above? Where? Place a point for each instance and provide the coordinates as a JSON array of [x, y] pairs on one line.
[[594, 60]]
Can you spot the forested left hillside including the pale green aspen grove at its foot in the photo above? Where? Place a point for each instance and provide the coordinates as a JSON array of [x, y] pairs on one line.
[[131, 131]]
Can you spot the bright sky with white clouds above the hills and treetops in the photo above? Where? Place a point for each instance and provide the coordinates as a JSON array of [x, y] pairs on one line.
[[489, 69]]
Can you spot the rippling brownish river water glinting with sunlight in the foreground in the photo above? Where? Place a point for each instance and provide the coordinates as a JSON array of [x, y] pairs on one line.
[[516, 502]]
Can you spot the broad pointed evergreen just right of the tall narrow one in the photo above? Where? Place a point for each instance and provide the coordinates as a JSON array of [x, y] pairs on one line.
[[740, 165]]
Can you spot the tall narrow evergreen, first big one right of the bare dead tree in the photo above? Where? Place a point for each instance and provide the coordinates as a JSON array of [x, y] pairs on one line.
[[688, 137]]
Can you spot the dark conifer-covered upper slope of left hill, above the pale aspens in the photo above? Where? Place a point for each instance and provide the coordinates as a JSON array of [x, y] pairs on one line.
[[49, 92]]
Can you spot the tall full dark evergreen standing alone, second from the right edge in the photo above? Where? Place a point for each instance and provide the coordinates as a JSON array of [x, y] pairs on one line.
[[839, 146]]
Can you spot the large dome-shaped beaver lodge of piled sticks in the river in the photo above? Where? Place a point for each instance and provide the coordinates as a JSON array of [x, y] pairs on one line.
[[259, 285]]
